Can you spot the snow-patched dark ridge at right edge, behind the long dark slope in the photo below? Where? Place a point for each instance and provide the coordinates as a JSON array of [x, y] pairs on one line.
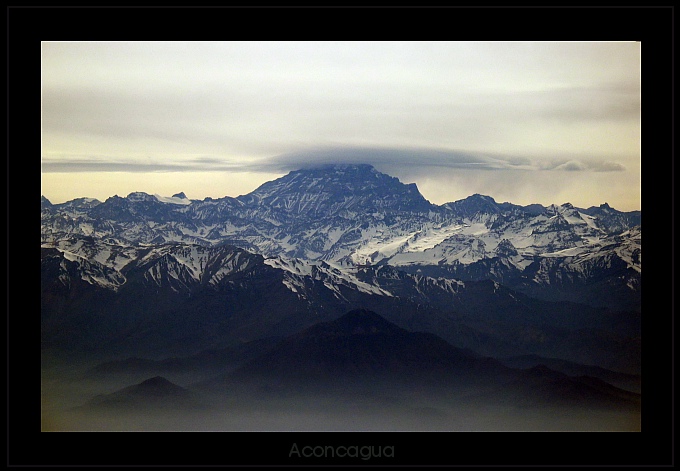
[[605, 273]]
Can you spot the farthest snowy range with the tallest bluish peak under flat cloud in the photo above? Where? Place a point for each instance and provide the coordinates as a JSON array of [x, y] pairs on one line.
[[351, 213]]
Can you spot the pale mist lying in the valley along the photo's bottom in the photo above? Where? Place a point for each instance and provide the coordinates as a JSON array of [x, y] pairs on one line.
[[71, 401]]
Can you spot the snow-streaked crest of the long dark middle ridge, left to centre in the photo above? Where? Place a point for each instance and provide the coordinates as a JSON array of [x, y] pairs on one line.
[[185, 267]]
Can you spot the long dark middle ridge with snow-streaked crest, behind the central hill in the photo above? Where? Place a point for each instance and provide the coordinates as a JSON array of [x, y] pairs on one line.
[[183, 298]]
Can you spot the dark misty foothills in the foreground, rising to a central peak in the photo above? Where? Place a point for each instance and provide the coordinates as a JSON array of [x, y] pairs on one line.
[[357, 372]]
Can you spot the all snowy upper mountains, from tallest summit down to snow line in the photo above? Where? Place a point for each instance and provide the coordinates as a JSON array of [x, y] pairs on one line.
[[321, 223]]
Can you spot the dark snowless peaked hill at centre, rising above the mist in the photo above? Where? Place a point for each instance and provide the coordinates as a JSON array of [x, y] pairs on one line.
[[357, 344]]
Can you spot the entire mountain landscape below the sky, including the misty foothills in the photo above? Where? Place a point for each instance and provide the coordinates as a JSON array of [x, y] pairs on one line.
[[340, 289]]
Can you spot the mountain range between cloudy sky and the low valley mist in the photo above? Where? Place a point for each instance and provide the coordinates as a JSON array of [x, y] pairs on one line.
[[153, 284]]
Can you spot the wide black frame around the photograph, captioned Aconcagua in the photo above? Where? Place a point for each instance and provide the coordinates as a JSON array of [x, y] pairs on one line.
[[653, 26]]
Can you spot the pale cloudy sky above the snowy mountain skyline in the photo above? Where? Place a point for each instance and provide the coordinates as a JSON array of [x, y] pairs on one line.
[[524, 122]]
